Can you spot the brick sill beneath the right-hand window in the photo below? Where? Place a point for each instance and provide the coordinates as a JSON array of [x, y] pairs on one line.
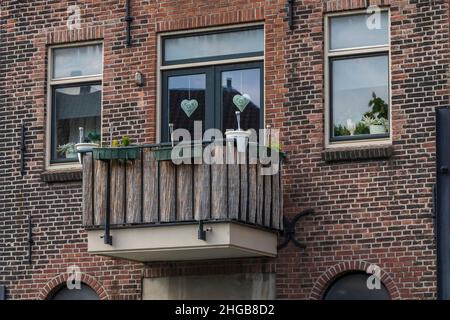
[[357, 153]]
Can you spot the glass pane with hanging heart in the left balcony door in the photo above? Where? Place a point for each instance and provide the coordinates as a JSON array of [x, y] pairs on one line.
[[186, 98]]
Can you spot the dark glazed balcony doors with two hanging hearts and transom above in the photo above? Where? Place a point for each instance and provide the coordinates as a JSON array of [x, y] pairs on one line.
[[207, 77]]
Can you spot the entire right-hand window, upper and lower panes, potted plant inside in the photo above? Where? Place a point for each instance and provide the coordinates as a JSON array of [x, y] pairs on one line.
[[358, 99]]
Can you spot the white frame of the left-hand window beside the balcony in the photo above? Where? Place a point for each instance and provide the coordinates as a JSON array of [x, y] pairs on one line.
[[63, 81]]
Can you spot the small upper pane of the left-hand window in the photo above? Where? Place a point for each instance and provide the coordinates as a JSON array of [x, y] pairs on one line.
[[77, 61]]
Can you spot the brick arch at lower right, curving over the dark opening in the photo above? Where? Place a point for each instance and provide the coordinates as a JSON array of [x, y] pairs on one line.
[[342, 268]]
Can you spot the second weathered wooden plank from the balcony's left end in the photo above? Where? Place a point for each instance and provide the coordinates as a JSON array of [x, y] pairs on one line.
[[101, 171]]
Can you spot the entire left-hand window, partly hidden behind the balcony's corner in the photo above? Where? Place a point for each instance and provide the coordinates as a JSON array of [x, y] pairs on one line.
[[75, 87]]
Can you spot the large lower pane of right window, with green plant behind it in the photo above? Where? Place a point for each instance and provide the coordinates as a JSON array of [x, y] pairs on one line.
[[359, 92]]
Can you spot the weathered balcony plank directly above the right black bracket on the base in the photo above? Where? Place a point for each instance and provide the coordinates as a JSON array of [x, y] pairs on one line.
[[202, 191]]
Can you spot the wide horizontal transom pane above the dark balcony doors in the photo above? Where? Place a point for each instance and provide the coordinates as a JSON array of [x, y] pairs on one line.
[[214, 45]]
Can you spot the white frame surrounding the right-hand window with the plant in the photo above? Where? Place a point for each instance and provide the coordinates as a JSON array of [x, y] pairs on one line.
[[386, 48]]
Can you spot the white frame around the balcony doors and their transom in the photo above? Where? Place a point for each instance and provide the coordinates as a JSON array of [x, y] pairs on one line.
[[161, 67]]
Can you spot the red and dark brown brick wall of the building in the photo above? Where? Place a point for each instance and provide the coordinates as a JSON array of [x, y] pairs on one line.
[[372, 203]]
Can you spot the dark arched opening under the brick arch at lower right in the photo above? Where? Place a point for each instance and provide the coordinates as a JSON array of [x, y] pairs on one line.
[[353, 286]]
